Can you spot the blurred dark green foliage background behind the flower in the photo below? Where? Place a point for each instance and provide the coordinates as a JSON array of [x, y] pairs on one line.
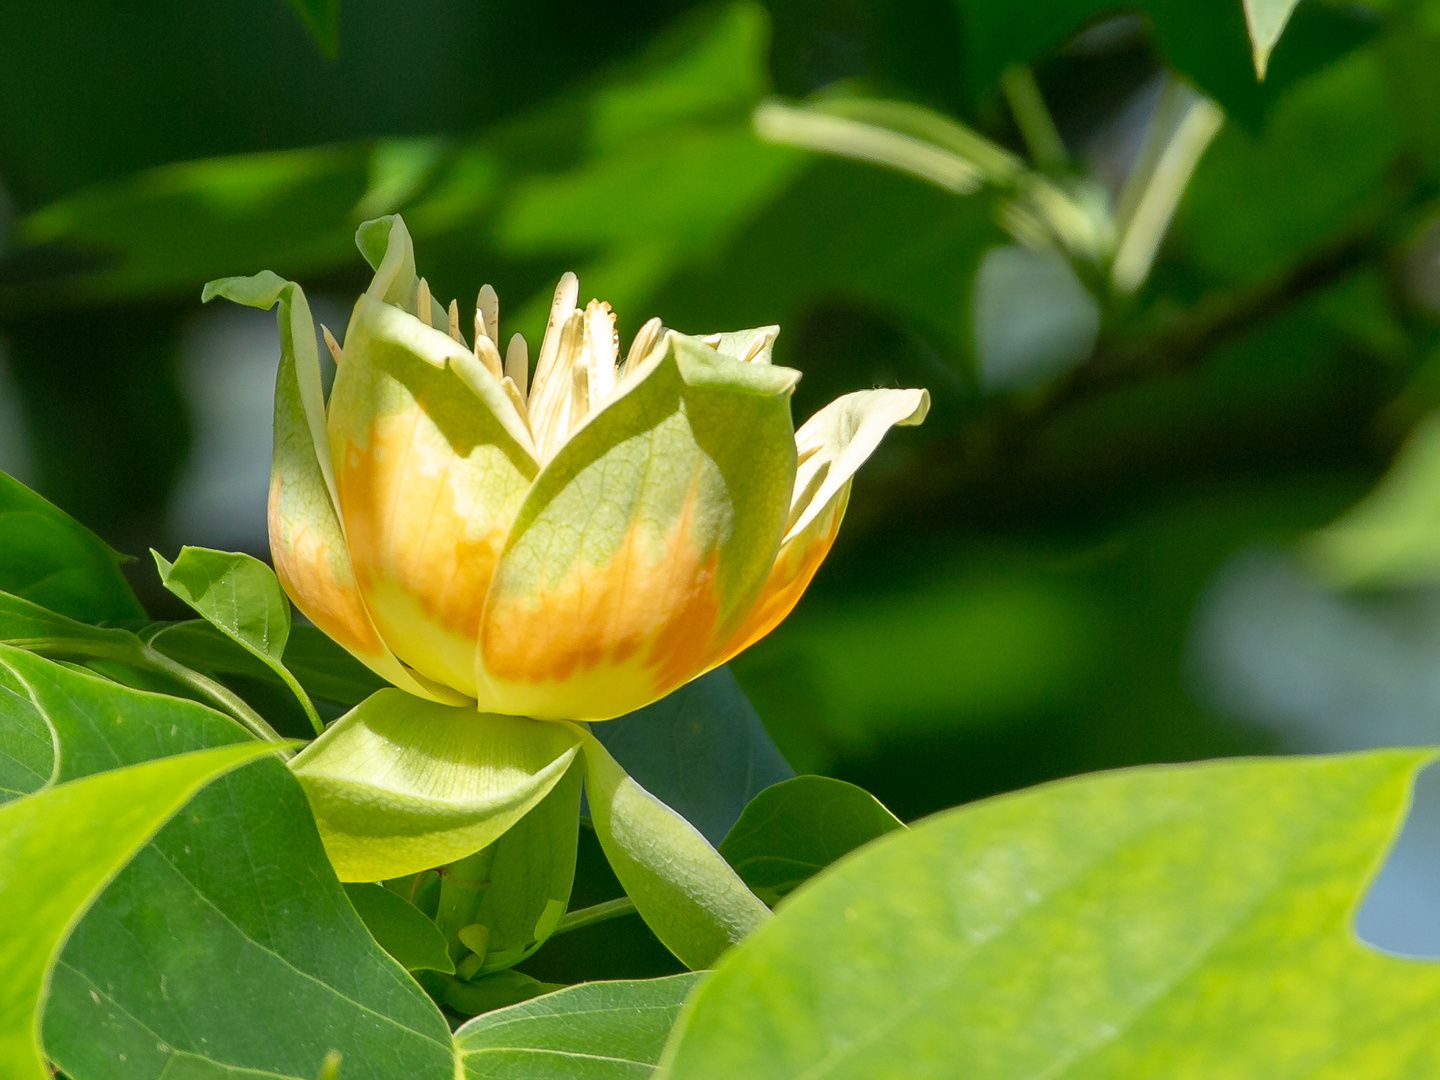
[[1115, 539]]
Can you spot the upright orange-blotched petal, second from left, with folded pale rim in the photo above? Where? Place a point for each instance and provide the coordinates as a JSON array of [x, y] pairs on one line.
[[433, 463]]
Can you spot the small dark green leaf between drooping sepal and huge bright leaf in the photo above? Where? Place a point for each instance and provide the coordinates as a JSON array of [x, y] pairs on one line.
[[797, 829]]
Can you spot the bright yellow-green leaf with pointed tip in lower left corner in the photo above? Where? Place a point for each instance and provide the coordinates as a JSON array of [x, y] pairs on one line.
[[58, 849]]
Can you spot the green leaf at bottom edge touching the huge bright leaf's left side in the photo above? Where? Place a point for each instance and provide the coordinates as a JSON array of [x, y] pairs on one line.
[[593, 1032]]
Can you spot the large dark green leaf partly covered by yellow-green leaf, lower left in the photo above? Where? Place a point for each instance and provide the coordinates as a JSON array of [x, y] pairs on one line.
[[231, 911]]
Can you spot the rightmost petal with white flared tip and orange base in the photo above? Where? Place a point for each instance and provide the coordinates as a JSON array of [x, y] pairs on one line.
[[833, 446]]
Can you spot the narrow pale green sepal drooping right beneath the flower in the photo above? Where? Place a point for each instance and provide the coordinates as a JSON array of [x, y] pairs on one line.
[[683, 889]]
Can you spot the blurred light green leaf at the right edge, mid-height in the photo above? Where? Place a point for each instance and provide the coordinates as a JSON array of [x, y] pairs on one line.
[[1393, 536]]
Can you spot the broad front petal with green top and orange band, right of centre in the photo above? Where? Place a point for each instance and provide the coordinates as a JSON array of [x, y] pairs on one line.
[[644, 542]]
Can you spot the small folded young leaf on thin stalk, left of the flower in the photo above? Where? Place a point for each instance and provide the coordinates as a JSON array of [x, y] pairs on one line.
[[241, 597]]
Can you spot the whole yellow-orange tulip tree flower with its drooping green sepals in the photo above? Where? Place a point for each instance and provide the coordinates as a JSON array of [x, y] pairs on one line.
[[519, 555]]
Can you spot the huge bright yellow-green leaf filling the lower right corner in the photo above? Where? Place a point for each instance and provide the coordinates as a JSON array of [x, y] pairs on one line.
[[1170, 921]]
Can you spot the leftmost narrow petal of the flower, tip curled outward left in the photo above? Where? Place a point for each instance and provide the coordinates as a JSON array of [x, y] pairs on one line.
[[307, 541]]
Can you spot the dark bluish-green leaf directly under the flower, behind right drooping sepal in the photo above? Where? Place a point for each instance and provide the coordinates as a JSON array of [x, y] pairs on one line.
[[702, 751]]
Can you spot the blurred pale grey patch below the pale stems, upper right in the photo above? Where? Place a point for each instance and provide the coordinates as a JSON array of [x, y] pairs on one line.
[[1033, 318]]
